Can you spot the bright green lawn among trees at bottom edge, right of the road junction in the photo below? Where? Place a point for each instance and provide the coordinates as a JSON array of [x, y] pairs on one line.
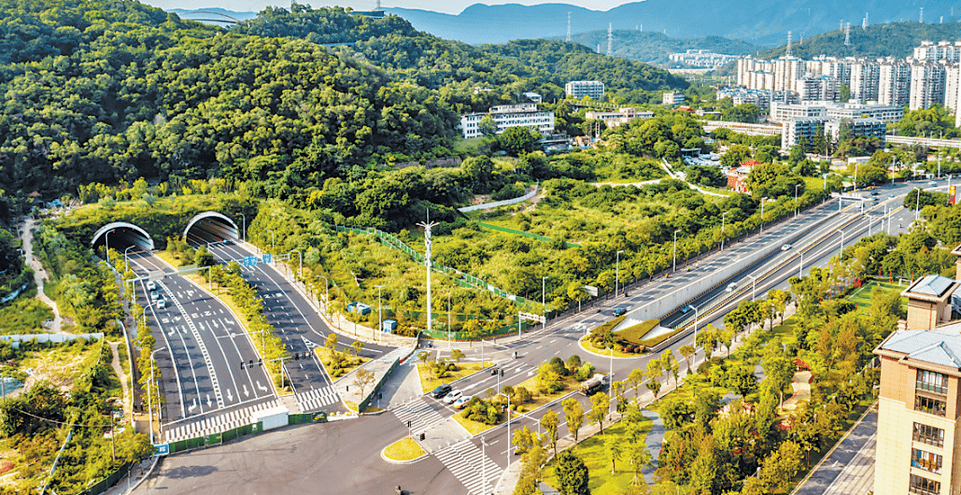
[[602, 482]]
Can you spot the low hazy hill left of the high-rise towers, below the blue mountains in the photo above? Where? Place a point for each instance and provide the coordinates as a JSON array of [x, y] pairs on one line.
[[652, 47]]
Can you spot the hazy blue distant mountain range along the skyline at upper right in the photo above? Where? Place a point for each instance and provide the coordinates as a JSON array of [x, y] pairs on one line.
[[764, 22]]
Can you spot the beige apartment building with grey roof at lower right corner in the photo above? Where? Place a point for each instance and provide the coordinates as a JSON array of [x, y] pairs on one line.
[[919, 436]]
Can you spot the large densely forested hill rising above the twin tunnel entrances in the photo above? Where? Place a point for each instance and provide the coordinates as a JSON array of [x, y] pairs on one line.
[[99, 91]]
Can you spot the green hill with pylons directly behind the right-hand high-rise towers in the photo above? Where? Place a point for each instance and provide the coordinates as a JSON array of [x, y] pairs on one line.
[[896, 39]]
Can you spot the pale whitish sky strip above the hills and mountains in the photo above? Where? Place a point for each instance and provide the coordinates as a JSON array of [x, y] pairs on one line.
[[448, 6]]
